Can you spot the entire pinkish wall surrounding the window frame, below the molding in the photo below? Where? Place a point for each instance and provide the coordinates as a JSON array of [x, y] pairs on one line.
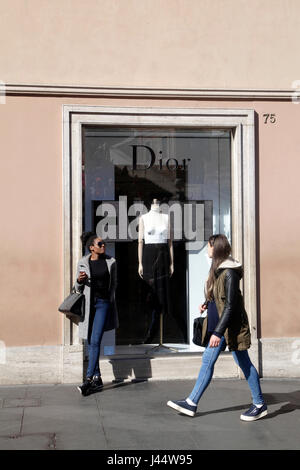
[[31, 235]]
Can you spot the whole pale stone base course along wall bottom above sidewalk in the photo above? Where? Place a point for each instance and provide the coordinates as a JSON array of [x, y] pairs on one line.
[[280, 358]]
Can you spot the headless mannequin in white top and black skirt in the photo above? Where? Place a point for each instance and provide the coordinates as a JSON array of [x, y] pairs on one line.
[[156, 263]]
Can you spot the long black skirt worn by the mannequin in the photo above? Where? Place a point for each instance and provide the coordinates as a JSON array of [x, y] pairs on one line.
[[156, 272]]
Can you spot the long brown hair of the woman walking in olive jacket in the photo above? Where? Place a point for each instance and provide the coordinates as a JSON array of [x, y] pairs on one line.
[[222, 250]]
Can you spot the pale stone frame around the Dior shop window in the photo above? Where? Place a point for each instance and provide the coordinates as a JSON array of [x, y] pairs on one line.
[[241, 123]]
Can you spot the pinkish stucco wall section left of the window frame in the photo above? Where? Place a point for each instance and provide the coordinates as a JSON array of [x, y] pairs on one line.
[[31, 225]]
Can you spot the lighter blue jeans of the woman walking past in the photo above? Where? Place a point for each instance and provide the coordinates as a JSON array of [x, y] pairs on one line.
[[242, 359]]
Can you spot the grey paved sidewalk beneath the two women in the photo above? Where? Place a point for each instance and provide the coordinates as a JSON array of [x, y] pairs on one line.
[[134, 416]]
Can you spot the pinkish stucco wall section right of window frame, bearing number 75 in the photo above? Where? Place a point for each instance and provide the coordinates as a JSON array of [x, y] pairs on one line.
[[279, 220]]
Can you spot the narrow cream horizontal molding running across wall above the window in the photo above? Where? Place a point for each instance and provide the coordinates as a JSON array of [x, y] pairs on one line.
[[146, 92]]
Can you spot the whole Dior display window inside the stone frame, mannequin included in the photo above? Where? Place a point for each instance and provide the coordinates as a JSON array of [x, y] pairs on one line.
[[155, 196]]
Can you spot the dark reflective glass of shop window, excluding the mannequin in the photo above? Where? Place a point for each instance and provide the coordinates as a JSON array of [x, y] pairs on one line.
[[175, 166]]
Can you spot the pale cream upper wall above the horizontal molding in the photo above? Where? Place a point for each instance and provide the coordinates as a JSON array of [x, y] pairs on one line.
[[151, 43]]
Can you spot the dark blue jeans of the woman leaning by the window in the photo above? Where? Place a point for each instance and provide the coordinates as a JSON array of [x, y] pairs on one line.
[[102, 307]]
